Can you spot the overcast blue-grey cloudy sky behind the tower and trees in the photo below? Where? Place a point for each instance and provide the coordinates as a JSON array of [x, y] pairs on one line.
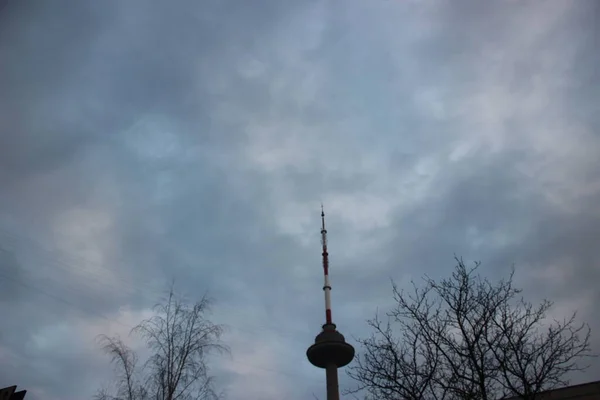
[[143, 141]]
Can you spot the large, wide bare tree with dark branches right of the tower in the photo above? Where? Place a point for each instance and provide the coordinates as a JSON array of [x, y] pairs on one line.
[[465, 337]]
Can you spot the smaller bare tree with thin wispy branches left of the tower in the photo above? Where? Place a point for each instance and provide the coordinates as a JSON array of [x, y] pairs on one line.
[[180, 338]]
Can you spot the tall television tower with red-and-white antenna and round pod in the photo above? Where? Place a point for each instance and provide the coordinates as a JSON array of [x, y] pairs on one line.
[[330, 350]]
